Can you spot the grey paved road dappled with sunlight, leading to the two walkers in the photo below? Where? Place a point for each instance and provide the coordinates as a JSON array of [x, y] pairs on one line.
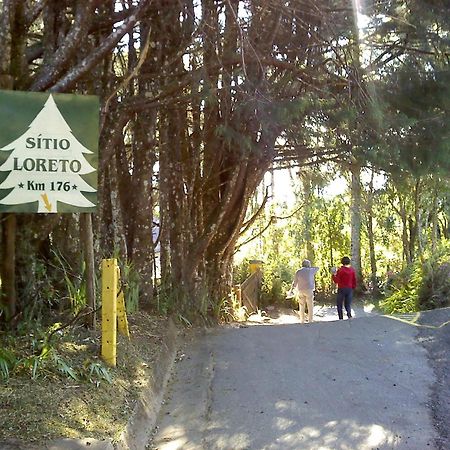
[[358, 384]]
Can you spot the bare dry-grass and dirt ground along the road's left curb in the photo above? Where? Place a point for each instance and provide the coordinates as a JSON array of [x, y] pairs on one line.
[[34, 412]]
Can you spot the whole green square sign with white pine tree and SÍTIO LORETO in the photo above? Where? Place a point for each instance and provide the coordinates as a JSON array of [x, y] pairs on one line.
[[48, 152]]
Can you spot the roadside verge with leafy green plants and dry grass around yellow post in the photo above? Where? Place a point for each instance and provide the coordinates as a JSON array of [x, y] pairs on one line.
[[55, 385]]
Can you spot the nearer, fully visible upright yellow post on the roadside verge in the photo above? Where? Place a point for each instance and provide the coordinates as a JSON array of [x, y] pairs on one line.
[[109, 311]]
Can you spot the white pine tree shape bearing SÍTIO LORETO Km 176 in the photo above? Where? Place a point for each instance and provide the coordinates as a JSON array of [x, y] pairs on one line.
[[46, 164]]
